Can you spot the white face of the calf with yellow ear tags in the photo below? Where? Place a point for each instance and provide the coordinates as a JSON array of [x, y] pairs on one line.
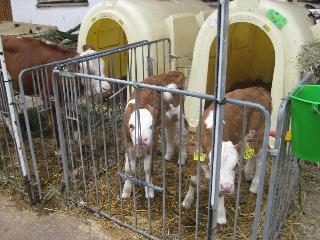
[[229, 160]]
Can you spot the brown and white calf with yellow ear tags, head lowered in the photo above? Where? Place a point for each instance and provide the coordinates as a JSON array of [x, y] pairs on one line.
[[233, 122]]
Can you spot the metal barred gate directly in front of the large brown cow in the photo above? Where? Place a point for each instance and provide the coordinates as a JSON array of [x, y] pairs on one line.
[[39, 127]]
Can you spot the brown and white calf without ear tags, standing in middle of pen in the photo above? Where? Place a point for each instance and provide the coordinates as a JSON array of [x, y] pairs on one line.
[[142, 121]]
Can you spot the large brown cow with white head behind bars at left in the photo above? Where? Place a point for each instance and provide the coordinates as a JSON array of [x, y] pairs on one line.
[[22, 53]]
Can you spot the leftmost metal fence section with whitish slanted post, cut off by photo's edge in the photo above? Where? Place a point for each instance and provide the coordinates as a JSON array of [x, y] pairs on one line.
[[13, 169]]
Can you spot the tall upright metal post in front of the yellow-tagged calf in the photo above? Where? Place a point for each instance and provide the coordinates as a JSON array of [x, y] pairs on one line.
[[221, 67]]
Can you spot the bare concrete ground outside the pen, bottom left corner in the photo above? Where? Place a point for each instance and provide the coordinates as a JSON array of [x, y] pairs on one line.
[[19, 221]]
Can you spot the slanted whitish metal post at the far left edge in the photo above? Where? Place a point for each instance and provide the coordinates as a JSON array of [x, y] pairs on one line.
[[15, 123]]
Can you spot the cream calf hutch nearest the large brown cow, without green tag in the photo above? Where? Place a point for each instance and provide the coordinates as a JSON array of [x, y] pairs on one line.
[[113, 23]]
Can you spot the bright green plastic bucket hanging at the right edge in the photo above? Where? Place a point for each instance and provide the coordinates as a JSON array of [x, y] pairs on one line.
[[305, 125]]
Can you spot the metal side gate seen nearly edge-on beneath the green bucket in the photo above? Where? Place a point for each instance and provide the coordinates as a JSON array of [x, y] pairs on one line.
[[285, 171]]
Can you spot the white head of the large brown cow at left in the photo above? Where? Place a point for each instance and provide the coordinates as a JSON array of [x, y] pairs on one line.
[[95, 67]]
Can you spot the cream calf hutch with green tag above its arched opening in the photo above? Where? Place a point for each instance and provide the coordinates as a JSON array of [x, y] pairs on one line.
[[258, 49]]
